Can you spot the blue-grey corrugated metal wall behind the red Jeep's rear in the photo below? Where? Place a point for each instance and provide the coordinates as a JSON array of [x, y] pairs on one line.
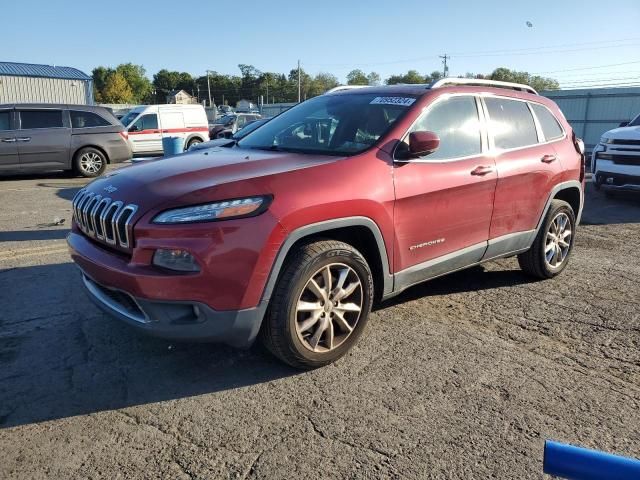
[[591, 112]]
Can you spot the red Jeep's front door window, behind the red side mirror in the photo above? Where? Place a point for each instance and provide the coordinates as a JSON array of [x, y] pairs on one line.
[[456, 122]]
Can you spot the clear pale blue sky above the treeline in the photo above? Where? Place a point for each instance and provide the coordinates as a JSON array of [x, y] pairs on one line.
[[580, 43]]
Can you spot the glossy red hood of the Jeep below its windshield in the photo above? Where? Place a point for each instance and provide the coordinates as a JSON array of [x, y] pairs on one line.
[[150, 184]]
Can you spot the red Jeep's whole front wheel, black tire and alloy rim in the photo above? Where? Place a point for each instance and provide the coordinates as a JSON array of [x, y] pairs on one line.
[[307, 337]]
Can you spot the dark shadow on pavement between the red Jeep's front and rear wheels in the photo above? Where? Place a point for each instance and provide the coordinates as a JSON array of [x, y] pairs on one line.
[[470, 280]]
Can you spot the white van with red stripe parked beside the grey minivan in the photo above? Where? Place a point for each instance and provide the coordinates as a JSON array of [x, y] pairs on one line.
[[147, 124]]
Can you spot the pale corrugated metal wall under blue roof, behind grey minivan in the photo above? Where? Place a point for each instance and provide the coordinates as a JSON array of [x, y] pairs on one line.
[[14, 89]]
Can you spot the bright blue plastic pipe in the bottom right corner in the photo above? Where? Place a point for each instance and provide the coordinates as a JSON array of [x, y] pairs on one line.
[[575, 463]]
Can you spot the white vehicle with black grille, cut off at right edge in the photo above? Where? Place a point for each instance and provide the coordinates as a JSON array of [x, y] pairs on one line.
[[615, 161]]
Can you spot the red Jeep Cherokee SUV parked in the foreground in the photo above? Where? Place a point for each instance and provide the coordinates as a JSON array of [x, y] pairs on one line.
[[291, 233]]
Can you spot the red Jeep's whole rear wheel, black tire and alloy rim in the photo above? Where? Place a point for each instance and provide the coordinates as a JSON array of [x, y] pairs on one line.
[[561, 219]]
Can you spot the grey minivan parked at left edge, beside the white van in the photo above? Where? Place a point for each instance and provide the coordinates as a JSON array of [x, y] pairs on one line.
[[78, 138]]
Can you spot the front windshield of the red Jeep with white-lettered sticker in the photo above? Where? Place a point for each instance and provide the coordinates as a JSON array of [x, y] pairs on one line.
[[331, 124]]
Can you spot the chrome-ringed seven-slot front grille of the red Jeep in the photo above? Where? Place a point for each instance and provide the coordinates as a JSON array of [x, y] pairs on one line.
[[104, 219]]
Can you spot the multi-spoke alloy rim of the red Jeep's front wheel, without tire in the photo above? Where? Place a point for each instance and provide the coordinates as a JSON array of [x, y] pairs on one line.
[[329, 307]]
